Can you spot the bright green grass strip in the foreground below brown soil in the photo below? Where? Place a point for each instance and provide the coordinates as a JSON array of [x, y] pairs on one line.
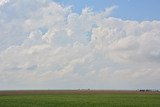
[[81, 100]]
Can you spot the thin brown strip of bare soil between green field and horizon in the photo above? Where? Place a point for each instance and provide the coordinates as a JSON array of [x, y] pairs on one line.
[[22, 92]]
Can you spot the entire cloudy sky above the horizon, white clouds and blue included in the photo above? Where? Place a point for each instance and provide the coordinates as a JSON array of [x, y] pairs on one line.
[[79, 44]]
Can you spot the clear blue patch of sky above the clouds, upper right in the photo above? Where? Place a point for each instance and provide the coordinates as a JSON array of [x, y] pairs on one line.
[[127, 9]]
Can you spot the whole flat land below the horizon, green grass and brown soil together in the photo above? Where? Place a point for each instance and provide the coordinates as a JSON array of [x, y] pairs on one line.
[[79, 98]]
